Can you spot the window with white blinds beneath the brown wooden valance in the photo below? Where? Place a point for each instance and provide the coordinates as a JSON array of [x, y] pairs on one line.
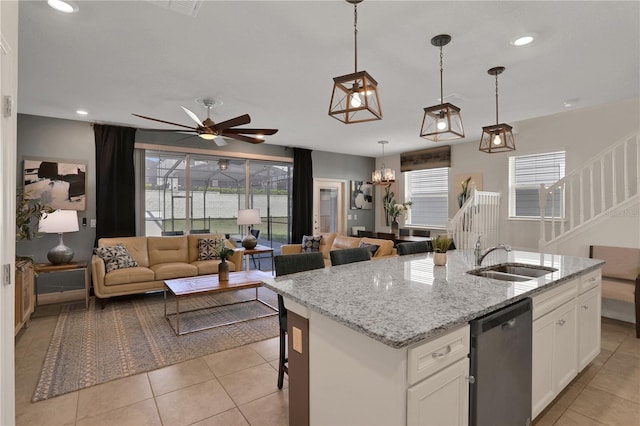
[[429, 191]]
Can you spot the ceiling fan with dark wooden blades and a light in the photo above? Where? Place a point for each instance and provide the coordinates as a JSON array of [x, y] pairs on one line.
[[209, 130]]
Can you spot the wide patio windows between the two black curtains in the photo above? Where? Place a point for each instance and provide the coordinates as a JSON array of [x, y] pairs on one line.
[[193, 193]]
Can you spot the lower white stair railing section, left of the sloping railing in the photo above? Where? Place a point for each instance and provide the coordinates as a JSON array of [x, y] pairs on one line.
[[478, 216]]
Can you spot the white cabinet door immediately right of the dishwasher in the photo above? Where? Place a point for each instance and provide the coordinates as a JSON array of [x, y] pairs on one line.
[[543, 338]]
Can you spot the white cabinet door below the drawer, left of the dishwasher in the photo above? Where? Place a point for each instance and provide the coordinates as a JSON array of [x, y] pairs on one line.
[[442, 399]]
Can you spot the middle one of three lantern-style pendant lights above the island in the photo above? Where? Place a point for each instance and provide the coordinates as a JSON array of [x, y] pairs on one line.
[[442, 122]]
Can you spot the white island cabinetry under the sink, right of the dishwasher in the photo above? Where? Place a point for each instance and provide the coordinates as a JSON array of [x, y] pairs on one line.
[[566, 336]]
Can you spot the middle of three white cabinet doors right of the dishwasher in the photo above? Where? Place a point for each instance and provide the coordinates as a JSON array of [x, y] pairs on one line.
[[565, 351]]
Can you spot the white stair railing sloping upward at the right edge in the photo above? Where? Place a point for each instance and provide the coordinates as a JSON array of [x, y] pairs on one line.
[[591, 191]]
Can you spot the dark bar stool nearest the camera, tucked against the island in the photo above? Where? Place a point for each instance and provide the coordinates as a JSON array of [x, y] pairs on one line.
[[290, 264]]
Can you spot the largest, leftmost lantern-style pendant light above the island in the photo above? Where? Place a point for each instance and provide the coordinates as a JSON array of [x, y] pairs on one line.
[[355, 96]]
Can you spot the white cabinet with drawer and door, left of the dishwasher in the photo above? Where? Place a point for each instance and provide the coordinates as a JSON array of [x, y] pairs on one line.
[[438, 373]]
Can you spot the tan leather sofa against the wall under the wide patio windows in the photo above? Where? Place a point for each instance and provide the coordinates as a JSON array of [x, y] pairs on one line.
[[159, 259]]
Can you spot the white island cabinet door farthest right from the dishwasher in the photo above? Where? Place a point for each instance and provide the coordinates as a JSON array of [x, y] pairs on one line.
[[589, 307]]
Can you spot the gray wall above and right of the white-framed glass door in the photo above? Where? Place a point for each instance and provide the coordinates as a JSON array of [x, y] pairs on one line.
[[329, 165]]
